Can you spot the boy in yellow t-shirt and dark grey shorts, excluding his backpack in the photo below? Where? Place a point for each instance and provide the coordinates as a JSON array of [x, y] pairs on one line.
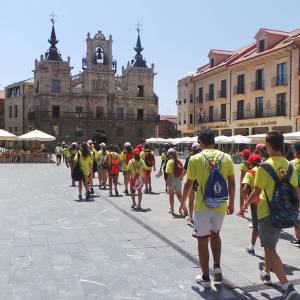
[[264, 186]]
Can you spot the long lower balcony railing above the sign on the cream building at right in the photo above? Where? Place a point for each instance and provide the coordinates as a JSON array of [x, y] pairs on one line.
[[260, 113]]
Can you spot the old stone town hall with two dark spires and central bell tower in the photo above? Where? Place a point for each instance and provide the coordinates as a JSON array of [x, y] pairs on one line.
[[96, 103]]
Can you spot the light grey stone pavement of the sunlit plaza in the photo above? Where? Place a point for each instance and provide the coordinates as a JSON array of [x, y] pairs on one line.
[[54, 247]]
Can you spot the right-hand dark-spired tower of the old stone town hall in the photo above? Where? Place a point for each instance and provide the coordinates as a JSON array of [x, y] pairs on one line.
[[138, 76]]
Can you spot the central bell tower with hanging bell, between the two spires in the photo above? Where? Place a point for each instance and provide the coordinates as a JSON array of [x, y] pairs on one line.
[[98, 66]]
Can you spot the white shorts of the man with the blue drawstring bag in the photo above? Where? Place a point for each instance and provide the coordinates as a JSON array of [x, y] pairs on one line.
[[206, 222]]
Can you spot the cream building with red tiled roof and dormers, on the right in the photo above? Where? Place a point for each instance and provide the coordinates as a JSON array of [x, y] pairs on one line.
[[248, 91]]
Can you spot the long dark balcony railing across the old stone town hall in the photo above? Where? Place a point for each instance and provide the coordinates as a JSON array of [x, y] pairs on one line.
[[48, 115]]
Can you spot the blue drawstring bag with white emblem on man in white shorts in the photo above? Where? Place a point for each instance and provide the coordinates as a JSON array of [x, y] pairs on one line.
[[216, 191]]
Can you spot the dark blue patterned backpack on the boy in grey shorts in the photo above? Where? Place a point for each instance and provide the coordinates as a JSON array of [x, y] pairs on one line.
[[284, 205]]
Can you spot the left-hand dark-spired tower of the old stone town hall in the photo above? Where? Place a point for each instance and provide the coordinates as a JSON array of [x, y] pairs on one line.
[[51, 73]]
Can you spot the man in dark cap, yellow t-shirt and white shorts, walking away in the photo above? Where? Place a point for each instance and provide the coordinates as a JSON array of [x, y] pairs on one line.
[[213, 170]]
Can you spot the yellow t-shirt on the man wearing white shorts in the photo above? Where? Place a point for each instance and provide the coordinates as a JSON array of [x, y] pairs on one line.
[[199, 169]]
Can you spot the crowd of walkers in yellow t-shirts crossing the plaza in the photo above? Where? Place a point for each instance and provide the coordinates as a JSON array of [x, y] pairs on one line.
[[269, 185]]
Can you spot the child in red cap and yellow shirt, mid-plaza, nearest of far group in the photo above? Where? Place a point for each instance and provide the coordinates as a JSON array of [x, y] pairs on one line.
[[136, 168]]
